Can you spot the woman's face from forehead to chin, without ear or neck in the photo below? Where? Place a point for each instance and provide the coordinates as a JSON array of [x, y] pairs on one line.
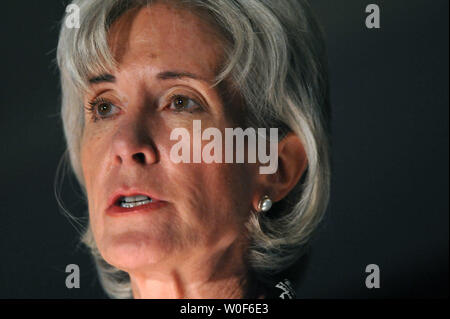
[[198, 208]]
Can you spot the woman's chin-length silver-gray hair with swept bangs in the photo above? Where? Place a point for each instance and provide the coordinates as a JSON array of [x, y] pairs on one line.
[[276, 59]]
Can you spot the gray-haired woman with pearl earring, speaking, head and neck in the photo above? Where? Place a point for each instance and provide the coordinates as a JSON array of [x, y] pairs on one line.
[[134, 73]]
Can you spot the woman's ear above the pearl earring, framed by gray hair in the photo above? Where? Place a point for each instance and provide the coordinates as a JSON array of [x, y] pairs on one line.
[[292, 163]]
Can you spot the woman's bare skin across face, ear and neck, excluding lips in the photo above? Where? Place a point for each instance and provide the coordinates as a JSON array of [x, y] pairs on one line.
[[194, 246]]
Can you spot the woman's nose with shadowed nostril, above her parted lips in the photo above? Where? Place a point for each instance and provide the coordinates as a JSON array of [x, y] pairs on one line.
[[132, 145]]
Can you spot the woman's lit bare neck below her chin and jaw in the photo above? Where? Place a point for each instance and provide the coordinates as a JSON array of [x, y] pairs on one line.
[[223, 275]]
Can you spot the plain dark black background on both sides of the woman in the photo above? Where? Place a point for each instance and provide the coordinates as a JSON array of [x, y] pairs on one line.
[[389, 200]]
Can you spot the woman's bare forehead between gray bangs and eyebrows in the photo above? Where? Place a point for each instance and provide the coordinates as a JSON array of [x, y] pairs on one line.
[[163, 35]]
